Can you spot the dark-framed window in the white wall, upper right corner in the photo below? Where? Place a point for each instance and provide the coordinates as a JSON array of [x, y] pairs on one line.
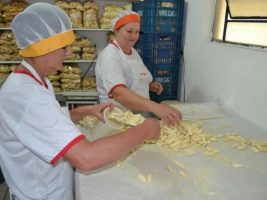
[[241, 22]]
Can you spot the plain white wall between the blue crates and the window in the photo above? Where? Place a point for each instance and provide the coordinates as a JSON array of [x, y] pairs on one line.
[[235, 75]]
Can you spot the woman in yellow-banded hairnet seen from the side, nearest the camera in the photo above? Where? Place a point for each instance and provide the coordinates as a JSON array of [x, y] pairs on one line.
[[39, 143]]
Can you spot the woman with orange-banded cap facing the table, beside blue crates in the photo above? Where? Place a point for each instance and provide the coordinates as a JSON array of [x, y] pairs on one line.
[[121, 76]]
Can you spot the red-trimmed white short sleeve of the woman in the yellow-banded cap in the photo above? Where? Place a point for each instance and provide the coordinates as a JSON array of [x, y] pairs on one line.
[[46, 130]]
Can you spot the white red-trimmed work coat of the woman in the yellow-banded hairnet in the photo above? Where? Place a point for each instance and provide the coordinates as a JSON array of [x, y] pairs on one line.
[[34, 135]]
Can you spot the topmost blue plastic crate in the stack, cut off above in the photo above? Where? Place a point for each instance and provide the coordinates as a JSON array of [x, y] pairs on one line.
[[160, 16]]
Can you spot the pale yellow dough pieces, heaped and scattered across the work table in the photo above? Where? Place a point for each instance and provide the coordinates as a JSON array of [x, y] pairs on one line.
[[187, 137]]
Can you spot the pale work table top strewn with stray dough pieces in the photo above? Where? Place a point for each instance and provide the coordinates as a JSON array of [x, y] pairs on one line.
[[177, 175]]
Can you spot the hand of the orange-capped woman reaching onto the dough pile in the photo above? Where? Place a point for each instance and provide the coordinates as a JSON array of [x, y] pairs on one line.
[[168, 114]]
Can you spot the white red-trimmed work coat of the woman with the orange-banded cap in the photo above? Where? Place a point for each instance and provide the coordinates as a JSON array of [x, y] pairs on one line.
[[115, 68]]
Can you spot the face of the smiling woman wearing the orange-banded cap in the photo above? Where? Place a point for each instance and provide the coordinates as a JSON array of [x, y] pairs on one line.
[[128, 34]]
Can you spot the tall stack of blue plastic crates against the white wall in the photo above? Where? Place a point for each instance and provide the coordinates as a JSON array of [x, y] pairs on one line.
[[159, 43]]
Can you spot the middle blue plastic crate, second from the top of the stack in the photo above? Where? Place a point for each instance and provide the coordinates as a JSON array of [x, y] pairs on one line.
[[159, 48]]
